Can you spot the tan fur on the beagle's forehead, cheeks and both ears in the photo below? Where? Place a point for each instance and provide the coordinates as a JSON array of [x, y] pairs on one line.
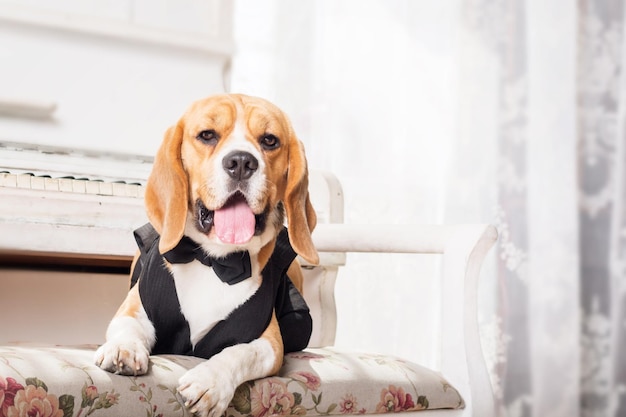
[[177, 178]]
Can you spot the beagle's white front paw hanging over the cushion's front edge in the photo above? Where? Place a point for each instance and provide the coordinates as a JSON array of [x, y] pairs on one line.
[[207, 389]]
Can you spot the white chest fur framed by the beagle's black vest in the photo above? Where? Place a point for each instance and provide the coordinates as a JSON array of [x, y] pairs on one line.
[[204, 299]]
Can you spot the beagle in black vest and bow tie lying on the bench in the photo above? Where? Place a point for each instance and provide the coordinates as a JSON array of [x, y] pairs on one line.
[[216, 269]]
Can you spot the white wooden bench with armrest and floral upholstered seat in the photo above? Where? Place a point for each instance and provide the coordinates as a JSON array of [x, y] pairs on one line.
[[56, 381]]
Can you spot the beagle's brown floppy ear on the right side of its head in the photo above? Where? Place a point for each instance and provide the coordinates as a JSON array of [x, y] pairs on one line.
[[301, 216]]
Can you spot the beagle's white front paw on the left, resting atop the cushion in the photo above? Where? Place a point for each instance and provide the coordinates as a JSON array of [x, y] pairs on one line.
[[126, 358]]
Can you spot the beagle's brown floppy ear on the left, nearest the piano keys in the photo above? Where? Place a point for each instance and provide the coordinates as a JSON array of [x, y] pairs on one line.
[[167, 190]]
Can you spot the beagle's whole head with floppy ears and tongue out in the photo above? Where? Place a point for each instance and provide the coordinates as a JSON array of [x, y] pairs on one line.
[[225, 175]]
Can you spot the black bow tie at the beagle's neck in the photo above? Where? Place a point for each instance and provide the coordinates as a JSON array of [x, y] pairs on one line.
[[231, 269]]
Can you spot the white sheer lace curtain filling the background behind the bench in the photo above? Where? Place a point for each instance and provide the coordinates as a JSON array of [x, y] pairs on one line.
[[509, 112]]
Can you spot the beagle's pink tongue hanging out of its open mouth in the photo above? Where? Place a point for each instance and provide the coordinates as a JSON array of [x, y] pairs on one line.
[[234, 223]]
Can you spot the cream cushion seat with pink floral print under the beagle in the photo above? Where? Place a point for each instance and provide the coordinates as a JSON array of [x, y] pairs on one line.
[[63, 382]]
